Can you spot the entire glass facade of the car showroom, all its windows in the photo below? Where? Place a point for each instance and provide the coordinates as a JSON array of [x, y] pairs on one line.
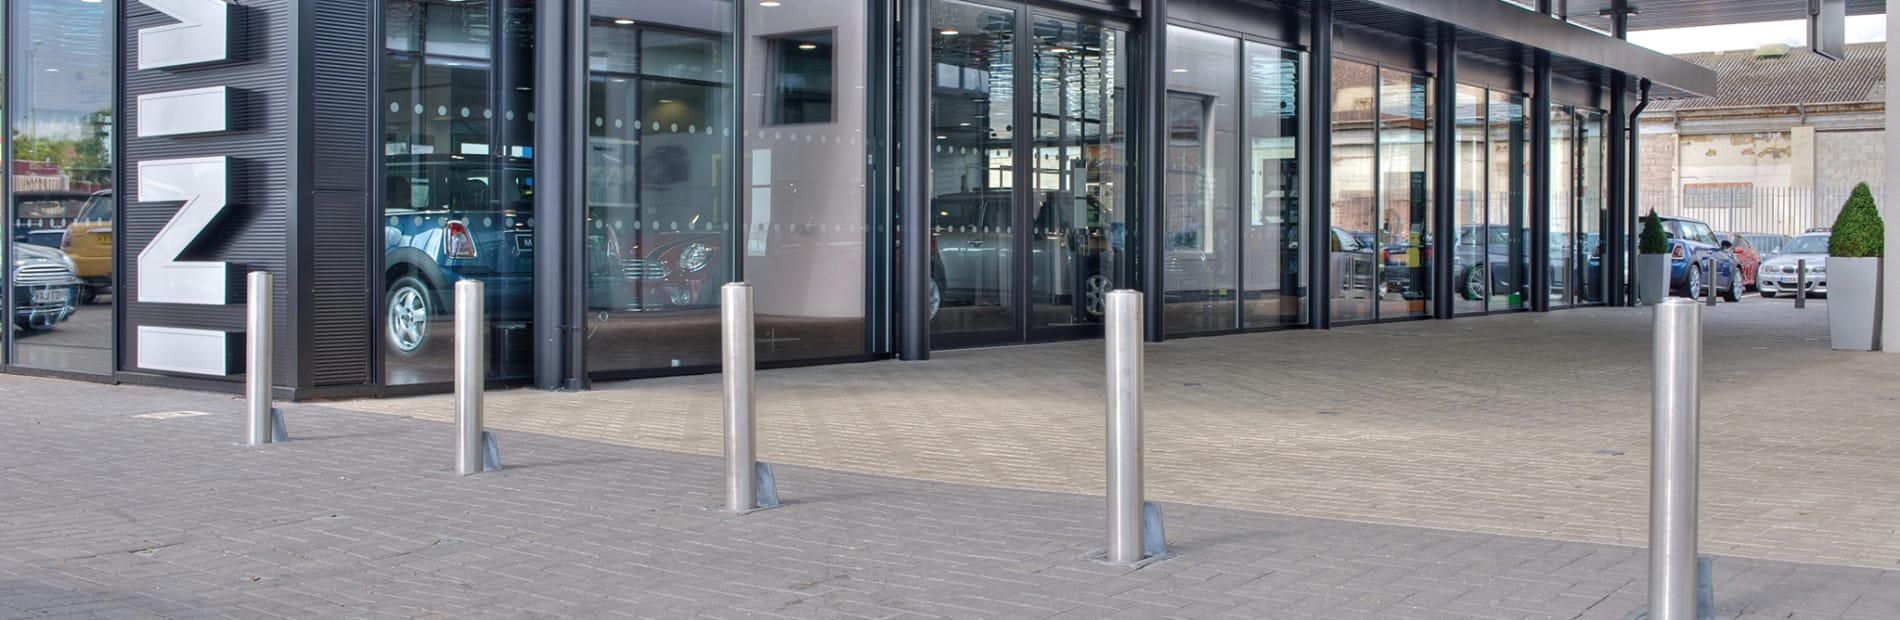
[[751, 142]]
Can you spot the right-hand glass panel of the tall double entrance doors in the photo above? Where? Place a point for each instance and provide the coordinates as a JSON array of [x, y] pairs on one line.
[[1078, 172]]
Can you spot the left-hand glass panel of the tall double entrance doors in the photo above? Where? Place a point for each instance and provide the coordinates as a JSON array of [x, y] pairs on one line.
[[974, 166]]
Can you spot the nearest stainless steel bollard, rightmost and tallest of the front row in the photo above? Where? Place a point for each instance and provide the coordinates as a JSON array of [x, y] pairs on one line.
[[1673, 461]]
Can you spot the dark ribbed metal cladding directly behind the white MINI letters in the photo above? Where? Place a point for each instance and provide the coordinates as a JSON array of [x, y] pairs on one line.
[[254, 233]]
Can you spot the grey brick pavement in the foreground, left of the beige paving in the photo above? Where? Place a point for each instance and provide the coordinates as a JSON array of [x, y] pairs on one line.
[[113, 516]]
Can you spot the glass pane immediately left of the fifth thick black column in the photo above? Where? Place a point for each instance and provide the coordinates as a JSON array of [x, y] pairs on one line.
[[1405, 197]]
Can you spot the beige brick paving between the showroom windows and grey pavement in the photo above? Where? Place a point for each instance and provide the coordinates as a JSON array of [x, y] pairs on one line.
[[1530, 425]]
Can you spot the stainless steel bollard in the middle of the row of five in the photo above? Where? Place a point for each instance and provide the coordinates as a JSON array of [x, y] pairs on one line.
[[738, 364]]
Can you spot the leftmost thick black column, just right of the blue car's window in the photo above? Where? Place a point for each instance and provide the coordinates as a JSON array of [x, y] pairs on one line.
[[550, 201]]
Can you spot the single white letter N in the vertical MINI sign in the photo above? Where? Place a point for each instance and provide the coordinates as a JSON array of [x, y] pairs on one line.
[[202, 185]]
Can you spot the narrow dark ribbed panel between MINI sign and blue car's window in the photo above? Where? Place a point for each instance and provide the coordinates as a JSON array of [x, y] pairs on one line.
[[339, 195]]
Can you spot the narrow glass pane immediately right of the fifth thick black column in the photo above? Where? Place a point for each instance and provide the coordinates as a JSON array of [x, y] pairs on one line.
[[1472, 254]]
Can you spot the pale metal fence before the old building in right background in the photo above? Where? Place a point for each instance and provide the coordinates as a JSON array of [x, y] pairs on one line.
[[1779, 210]]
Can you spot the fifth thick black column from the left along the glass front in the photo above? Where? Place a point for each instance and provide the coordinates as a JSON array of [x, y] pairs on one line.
[[1445, 170]]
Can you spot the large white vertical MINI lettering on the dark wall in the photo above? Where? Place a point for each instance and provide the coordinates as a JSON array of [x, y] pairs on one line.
[[202, 185]]
